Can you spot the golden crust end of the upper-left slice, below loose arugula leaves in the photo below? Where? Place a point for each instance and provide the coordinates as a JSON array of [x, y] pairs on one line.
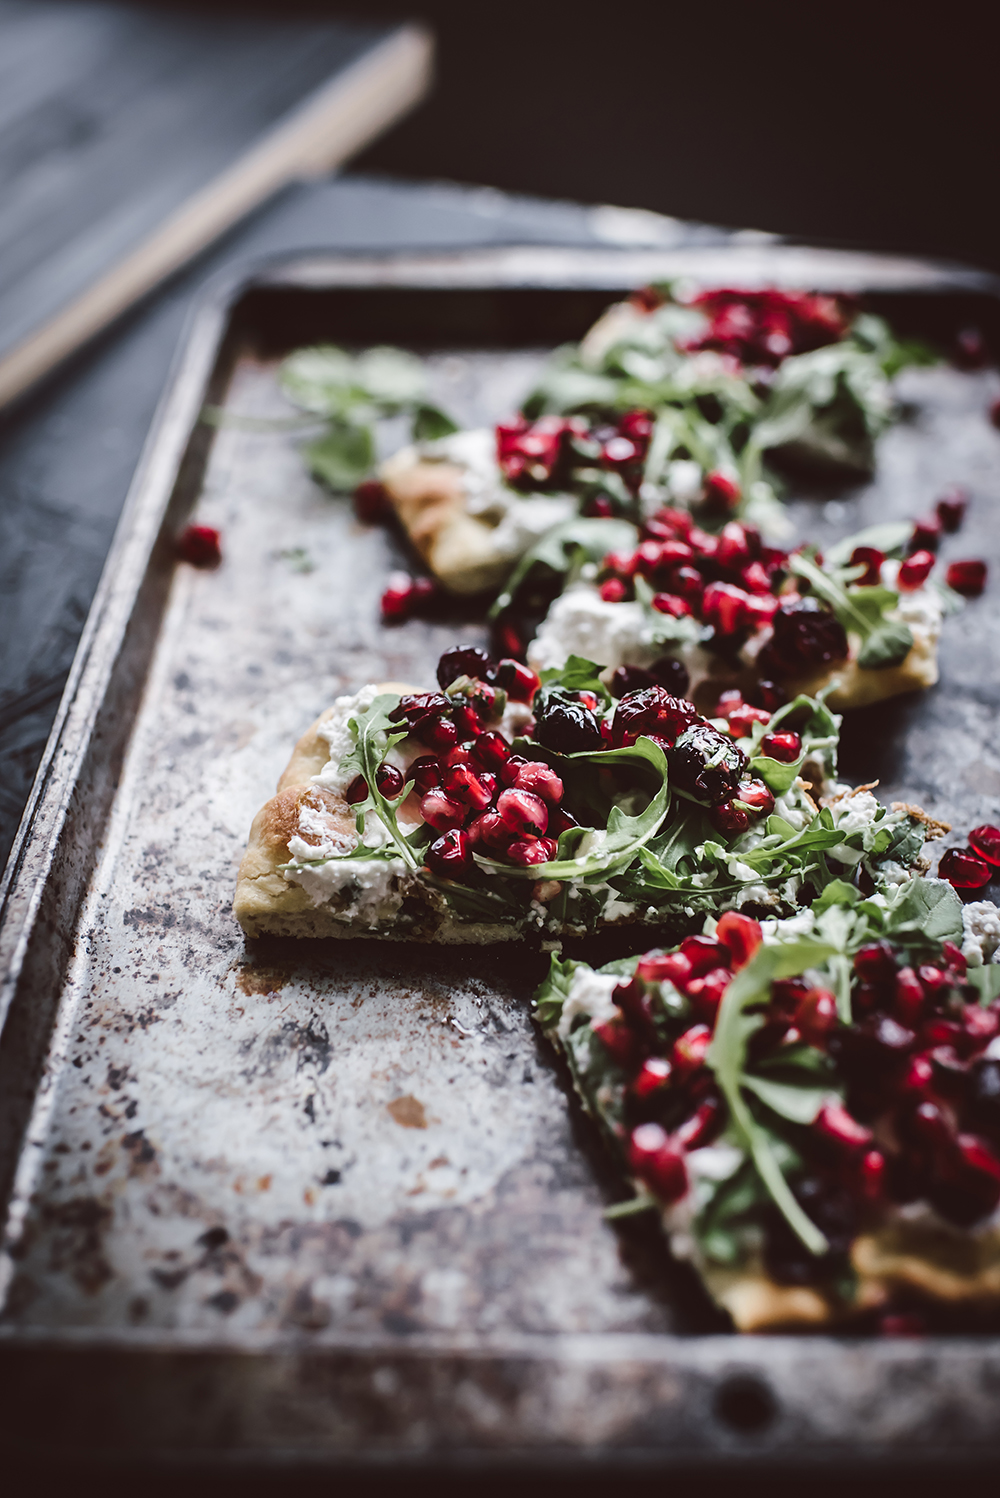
[[430, 500]]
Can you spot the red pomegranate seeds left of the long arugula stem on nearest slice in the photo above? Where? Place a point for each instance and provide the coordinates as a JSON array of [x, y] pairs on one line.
[[673, 1103]]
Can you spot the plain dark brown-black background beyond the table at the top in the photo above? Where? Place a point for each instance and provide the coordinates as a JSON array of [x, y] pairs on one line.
[[868, 125]]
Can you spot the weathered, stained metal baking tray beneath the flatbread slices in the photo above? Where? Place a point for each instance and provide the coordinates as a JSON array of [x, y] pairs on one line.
[[344, 1181]]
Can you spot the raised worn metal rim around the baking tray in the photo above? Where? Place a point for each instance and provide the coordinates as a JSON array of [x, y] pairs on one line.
[[34, 853]]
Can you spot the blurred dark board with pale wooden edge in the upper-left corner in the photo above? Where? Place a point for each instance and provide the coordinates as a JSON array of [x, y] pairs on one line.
[[132, 139]]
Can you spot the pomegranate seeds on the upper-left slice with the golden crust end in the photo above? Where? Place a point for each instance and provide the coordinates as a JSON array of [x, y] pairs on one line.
[[543, 453]]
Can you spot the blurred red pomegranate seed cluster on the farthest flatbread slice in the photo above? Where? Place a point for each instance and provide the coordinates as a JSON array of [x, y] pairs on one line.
[[766, 327]]
